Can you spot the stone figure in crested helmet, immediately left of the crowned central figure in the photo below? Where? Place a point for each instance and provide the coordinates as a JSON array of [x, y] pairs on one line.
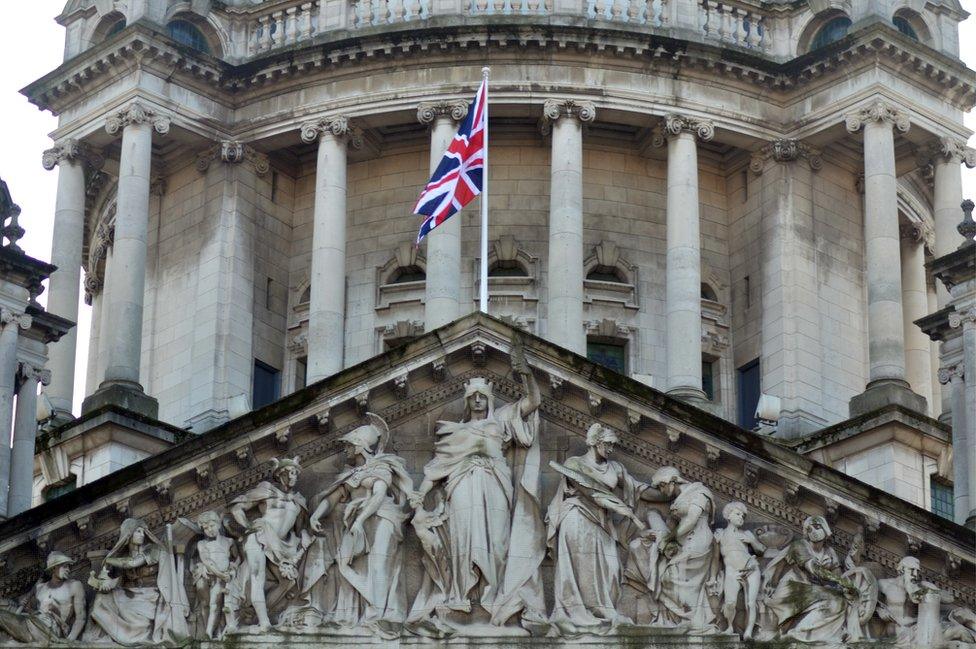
[[367, 502]]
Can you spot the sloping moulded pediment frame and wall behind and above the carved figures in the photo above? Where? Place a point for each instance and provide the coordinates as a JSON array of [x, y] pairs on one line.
[[414, 386]]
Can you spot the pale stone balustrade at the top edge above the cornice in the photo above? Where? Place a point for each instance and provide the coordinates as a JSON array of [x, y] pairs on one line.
[[283, 23]]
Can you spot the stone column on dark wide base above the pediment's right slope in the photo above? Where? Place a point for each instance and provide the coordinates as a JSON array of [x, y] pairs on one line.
[[886, 332]]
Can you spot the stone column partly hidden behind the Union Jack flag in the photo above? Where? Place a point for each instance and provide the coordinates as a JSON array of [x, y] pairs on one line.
[[442, 292]]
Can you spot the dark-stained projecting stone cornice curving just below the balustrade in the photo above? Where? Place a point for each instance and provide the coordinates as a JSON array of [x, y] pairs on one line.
[[227, 84]]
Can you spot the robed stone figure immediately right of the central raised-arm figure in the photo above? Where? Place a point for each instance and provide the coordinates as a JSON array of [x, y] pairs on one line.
[[582, 535]]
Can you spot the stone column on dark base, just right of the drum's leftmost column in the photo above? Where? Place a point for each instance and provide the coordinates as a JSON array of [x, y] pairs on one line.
[[125, 283]]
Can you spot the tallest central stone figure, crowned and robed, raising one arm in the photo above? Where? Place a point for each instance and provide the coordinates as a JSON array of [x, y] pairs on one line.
[[495, 537]]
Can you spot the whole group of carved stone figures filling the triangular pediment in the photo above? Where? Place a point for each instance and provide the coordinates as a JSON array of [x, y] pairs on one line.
[[607, 551]]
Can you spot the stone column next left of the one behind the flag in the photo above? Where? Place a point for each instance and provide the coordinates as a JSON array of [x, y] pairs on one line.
[[327, 306]]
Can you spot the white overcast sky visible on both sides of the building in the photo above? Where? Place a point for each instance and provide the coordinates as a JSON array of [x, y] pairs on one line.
[[32, 46]]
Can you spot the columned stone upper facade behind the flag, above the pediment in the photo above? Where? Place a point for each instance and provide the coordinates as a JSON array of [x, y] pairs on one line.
[[732, 202]]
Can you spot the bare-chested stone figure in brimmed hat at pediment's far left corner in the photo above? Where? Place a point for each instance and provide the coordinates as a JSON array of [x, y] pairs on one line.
[[55, 609]]
